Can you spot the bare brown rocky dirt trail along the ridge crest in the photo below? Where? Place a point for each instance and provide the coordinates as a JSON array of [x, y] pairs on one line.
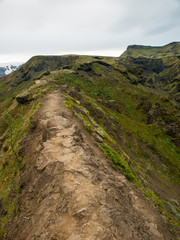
[[71, 192]]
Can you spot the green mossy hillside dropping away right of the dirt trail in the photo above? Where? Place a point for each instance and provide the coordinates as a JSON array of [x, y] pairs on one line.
[[142, 143]]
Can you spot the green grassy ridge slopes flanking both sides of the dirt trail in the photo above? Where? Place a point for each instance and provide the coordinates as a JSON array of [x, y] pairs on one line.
[[143, 151]]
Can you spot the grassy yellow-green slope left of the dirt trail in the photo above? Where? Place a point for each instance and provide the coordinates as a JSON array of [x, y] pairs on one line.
[[15, 121]]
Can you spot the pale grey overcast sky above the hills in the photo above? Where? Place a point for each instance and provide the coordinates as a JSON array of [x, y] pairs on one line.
[[100, 27]]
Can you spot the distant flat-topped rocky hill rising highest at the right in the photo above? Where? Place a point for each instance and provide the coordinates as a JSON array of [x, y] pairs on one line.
[[157, 67]]
